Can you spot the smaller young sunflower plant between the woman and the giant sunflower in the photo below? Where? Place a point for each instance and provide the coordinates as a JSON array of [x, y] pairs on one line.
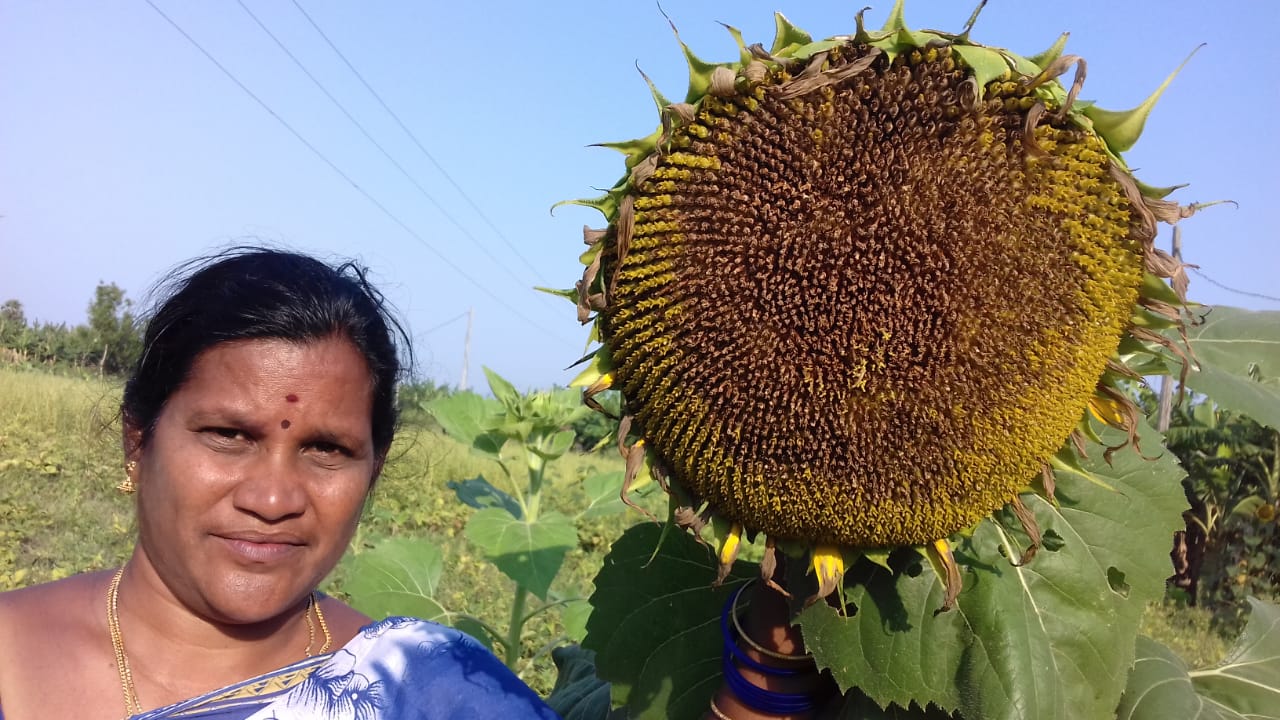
[[513, 527]]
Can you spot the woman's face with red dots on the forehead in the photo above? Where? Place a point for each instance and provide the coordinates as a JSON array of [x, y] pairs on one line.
[[253, 482]]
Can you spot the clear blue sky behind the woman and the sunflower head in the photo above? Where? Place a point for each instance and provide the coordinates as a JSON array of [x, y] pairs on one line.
[[125, 151]]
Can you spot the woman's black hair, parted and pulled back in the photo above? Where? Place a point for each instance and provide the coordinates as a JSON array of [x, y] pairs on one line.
[[258, 294]]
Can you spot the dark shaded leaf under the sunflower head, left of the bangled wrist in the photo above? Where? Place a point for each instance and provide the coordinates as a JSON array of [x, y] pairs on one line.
[[656, 623]]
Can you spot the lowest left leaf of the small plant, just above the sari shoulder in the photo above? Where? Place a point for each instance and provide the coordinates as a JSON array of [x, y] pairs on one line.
[[397, 577]]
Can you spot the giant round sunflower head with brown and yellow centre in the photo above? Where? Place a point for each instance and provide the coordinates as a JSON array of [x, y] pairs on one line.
[[858, 293]]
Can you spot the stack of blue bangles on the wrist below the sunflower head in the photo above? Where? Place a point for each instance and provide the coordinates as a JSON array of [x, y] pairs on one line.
[[749, 694]]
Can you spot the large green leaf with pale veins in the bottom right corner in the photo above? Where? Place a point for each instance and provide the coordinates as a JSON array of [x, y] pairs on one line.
[[1244, 686]]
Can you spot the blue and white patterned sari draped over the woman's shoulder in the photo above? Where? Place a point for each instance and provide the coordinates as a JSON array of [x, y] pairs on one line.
[[396, 669]]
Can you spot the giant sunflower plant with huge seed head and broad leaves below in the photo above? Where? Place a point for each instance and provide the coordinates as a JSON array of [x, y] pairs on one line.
[[872, 303]]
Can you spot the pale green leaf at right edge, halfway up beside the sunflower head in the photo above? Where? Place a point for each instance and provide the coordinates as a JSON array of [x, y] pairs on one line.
[[1240, 362]]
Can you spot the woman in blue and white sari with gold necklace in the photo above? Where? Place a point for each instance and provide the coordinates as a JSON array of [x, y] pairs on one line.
[[255, 425]]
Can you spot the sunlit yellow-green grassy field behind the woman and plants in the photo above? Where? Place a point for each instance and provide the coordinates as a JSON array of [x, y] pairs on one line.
[[61, 513]]
